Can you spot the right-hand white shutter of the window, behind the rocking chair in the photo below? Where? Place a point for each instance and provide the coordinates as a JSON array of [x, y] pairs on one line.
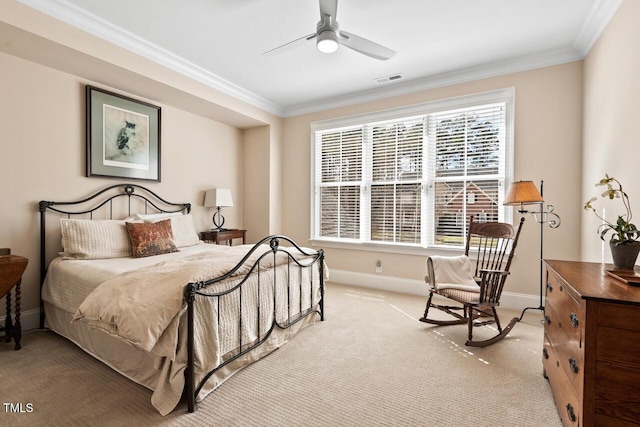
[[466, 151]]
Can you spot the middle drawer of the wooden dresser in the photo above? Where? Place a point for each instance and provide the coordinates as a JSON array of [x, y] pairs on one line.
[[567, 349]]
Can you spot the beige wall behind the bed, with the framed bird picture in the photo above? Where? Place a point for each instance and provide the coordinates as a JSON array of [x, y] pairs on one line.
[[43, 157]]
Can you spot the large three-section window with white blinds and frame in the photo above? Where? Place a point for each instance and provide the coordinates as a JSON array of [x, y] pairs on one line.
[[412, 177]]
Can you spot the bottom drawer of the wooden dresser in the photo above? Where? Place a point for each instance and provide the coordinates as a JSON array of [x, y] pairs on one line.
[[568, 405]]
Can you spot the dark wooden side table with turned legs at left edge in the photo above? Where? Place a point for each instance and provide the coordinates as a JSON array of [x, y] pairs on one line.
[[11, 269]]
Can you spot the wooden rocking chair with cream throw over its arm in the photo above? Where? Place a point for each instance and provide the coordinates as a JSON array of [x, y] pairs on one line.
[[476, 292]]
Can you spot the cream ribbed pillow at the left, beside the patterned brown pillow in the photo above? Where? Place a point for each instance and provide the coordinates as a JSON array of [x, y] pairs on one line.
[[94, 239]]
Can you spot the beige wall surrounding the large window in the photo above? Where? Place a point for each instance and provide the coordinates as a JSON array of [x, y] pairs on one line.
[[548, 126]]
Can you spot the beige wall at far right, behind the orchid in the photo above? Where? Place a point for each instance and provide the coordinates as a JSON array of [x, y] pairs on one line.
[[611, 115]]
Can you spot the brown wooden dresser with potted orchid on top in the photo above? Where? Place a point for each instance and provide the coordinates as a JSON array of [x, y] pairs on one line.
[[591, 354]]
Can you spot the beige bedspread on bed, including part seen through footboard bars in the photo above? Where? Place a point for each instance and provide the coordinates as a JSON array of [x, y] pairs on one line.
[[145, 307]]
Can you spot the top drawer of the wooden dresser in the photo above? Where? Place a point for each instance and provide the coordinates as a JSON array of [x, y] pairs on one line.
[[569, 312]]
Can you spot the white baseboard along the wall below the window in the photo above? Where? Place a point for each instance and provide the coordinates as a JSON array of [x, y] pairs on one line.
[[509, 300]]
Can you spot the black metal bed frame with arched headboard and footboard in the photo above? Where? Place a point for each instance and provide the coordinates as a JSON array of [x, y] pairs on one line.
[[194, 291]]
